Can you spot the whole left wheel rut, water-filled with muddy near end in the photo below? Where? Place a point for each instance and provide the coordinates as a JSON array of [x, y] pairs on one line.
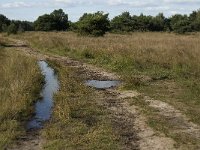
[[43, 110]]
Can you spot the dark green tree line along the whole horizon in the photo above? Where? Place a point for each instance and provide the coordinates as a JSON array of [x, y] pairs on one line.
[[97, 24]]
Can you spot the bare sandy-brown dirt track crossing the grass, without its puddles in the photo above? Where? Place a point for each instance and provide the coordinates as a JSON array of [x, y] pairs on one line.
[[127, 119]]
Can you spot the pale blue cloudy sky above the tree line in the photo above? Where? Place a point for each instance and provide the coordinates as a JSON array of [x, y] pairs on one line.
[[31, 9]]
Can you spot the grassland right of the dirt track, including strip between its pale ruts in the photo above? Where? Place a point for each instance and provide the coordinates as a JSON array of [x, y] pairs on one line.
[[164, 66]]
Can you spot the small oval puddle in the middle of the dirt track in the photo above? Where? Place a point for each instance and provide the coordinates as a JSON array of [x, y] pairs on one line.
[[102, 84]]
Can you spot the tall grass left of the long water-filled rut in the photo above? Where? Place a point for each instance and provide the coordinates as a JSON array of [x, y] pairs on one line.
[[18, 74]]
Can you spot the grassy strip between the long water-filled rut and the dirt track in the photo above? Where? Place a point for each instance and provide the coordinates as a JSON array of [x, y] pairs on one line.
[[78, 122]]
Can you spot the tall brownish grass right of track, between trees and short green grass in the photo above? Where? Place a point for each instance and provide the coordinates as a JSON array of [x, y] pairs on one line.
[[138, 51]]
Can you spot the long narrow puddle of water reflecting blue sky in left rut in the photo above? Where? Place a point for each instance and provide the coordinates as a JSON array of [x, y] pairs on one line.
[[43, 107]]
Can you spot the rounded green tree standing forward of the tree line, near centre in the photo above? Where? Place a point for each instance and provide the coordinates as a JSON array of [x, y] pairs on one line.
[[96, 24]]
